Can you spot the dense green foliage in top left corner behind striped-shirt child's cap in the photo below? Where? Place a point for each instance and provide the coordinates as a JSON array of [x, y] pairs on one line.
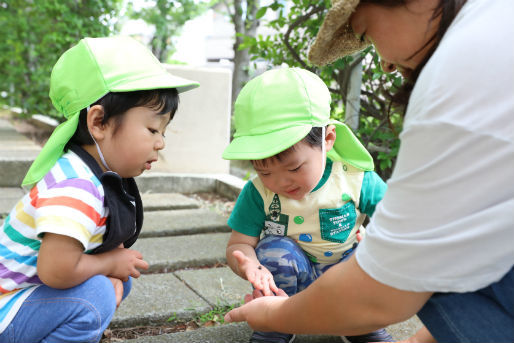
[[34, 34]]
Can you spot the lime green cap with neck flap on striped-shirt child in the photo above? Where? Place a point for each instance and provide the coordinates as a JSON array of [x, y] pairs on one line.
[[88, 71]]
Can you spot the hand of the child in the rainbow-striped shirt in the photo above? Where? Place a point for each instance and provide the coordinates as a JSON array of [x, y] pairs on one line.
[[126, 262]]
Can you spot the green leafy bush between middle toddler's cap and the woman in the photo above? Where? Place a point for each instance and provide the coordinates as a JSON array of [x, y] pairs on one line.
[[296, 27]]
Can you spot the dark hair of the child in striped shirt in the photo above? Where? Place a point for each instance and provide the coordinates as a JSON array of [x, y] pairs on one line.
[[115, 105]]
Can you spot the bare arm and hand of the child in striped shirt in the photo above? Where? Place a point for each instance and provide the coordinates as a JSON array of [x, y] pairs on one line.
[[63, 264]]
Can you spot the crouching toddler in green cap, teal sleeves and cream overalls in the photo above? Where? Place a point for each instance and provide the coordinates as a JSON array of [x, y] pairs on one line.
[[315, 185]]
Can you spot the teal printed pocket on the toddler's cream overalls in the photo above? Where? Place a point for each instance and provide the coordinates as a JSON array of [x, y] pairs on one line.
[[337, 223]]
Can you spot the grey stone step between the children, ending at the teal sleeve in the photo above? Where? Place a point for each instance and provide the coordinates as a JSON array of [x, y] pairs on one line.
[[181, 222]]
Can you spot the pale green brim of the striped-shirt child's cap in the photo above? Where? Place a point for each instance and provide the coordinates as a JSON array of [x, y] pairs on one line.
[[159, 81]]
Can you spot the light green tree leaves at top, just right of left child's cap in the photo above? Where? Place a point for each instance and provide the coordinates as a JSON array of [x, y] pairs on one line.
[[167, 17]]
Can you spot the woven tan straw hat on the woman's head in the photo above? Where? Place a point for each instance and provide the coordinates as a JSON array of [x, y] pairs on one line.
[[336, 38]]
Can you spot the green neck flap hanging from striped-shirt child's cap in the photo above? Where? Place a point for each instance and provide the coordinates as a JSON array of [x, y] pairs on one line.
[[52, 150]]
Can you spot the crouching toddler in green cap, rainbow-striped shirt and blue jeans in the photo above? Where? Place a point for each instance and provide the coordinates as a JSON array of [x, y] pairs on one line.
[[65, 262]]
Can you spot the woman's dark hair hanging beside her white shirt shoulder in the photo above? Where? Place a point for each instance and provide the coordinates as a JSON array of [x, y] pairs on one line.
[[447, 10]]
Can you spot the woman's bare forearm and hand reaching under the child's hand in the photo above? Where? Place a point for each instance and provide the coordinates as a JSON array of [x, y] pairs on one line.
[[343, 301]]
